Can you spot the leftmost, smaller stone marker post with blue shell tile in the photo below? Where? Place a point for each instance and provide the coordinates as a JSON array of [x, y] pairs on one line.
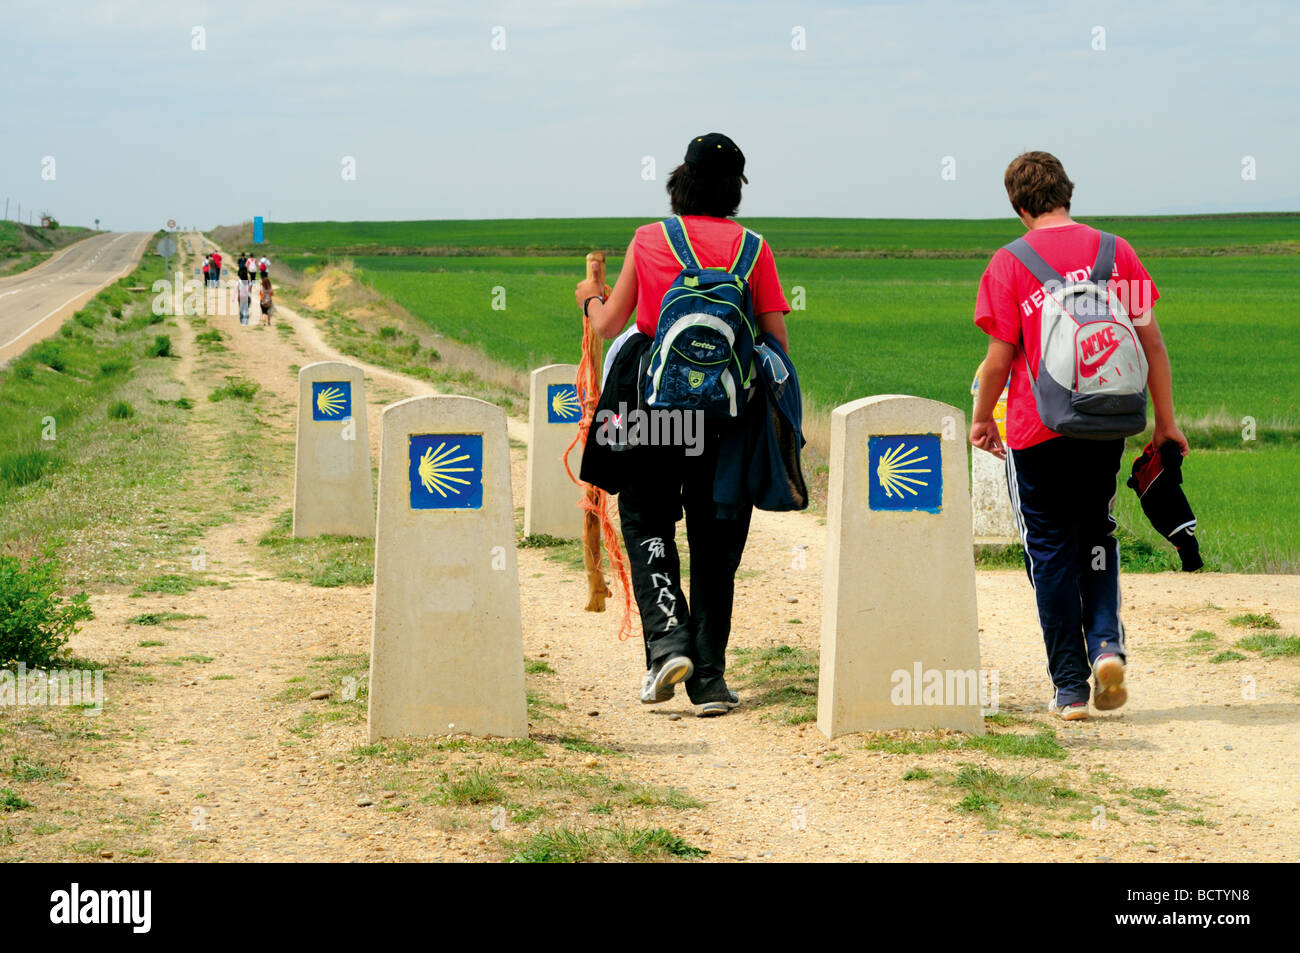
[[333, 492]]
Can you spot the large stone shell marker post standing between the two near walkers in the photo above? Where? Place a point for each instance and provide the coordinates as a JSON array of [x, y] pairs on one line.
[[900, 638]]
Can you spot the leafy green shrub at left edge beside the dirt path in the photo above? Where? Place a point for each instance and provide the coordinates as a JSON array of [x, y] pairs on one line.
[[36, 621]]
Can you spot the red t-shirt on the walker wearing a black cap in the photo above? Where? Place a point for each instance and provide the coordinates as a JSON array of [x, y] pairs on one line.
[[717, 242]]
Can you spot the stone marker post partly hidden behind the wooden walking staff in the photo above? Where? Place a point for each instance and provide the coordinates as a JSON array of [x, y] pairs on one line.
[[551, 503]]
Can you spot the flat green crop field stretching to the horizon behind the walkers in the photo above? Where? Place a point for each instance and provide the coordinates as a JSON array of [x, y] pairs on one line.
[[889, 310]]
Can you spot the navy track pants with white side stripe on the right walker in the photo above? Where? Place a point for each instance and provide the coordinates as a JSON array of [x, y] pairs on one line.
[[1063, 492]]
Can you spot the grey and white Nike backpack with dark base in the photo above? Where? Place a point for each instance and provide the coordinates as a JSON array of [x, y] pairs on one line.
[[1093, 372]]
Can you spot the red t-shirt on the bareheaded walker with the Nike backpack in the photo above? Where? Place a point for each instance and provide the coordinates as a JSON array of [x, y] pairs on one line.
[[1009, 307]]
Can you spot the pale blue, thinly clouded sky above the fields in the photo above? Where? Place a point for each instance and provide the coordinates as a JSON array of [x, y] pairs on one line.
[[135, 112]]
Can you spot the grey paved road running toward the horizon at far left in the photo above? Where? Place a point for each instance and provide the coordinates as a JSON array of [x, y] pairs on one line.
[[34, 304]]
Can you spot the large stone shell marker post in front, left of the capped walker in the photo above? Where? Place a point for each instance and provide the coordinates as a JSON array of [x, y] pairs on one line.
[[448, 651]]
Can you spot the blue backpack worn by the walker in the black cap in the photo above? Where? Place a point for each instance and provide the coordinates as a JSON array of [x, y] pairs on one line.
[[703, 358]]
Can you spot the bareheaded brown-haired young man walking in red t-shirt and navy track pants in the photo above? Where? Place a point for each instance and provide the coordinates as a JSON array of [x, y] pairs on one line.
[[1064, 487]]
